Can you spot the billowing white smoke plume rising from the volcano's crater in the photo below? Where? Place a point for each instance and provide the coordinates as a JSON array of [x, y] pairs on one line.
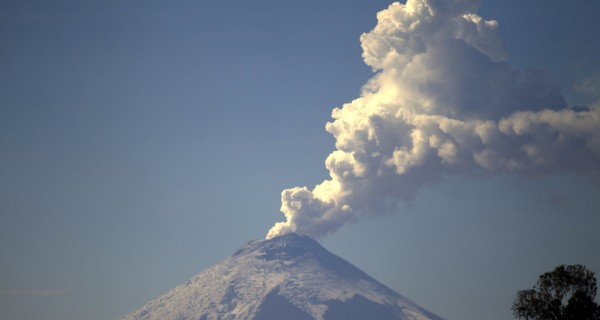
[[442, 102]]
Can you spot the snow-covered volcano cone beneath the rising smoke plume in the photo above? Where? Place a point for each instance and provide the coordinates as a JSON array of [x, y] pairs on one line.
[[289, 277]]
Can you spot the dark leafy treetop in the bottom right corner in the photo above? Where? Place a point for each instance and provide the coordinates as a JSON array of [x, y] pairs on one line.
[[567, 293]]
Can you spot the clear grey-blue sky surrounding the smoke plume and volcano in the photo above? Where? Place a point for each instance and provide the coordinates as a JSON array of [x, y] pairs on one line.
[[143, 141]]
